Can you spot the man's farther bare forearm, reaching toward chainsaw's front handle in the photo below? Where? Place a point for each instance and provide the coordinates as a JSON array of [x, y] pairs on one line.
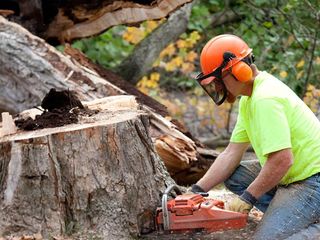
[[223, 166]]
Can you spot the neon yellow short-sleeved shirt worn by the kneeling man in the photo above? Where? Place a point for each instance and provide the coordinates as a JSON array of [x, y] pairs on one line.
[[275, 118]]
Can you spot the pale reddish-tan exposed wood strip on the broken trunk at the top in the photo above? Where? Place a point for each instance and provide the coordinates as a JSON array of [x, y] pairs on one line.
[[97, 21]]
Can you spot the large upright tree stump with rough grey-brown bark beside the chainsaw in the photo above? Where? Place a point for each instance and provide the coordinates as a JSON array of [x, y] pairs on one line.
[[100, 175]]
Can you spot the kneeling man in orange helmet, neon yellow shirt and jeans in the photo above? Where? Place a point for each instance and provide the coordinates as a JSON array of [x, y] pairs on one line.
[[285, 134]]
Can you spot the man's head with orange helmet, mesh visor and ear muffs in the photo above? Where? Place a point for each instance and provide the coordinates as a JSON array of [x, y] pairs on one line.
[[225, 63]]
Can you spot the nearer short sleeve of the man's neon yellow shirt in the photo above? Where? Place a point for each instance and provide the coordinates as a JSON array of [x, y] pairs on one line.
[[271, 126]]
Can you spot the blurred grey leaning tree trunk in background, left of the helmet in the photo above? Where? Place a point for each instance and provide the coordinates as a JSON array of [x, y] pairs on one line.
[[148, 50]]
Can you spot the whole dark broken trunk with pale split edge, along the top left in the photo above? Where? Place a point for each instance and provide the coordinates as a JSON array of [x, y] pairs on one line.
[[68, 20]]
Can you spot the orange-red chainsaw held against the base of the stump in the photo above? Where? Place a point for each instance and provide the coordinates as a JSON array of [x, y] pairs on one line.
[[195, 212]]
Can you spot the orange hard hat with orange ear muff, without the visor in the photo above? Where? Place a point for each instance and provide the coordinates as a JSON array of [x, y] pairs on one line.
[[212, 56]]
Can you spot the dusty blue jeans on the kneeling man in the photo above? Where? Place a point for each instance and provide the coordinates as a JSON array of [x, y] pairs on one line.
[[290, 212]]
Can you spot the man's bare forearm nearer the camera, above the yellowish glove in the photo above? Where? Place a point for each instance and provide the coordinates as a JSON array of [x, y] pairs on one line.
[[275, 168]]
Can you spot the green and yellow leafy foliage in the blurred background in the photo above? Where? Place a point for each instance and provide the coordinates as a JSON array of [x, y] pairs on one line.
[[281, 33]]
